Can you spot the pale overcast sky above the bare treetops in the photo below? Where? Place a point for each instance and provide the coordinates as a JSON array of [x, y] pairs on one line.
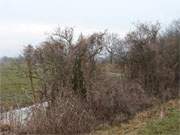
[[25, 22]]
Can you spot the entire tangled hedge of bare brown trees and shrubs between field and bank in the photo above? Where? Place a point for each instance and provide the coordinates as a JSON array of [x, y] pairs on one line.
[[82, 94]]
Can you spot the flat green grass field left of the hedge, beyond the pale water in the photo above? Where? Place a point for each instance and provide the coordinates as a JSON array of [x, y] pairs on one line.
[[14, 85]]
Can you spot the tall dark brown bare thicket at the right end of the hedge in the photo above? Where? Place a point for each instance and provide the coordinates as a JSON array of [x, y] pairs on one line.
[[153, 59]]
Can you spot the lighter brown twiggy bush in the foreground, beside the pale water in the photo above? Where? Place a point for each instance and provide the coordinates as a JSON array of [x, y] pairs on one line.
[[69, 116]]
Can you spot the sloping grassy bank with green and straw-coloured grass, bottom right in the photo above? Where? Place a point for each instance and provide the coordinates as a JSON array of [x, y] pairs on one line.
[[148, 122]]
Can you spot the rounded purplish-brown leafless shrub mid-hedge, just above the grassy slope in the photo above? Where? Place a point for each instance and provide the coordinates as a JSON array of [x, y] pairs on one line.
[[110, 98]]
